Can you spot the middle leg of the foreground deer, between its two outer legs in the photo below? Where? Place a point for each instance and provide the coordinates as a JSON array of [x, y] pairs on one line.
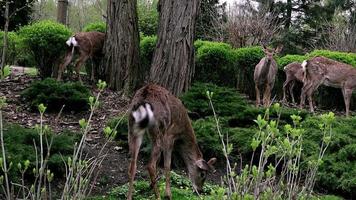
[[152, 166]]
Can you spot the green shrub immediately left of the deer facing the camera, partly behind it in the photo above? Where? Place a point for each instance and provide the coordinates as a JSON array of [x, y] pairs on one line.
[[247, 59]]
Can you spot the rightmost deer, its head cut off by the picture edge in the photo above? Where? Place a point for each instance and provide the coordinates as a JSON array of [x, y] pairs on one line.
[[320, 70]]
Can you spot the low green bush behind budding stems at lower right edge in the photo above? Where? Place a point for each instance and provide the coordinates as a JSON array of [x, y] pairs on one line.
[[337, 172]]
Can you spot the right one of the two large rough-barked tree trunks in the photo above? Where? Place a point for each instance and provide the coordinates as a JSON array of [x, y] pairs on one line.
[[173, 62]]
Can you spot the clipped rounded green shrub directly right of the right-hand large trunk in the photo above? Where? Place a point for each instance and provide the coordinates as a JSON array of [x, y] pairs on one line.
[[215, 64]]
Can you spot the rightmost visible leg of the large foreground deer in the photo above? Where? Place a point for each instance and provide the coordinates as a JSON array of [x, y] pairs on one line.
[[167, 153]]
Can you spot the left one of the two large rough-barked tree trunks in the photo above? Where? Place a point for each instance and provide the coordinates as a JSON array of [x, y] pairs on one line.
[[121, 60]]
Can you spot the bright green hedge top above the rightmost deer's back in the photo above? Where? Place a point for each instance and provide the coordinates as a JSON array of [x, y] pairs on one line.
[[348, 58]]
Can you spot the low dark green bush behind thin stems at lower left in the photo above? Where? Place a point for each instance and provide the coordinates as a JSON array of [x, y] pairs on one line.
[[19, 143]]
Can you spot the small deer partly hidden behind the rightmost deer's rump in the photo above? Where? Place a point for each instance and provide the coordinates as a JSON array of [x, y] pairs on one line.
[[294, 72]]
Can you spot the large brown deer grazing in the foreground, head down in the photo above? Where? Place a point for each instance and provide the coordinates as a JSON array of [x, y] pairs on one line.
[[163, 116]]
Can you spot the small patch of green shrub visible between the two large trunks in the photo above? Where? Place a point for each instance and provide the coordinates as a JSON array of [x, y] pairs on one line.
[[147, 48]]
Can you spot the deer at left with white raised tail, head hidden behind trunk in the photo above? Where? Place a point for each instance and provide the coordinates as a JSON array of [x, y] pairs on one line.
[[88, 44]]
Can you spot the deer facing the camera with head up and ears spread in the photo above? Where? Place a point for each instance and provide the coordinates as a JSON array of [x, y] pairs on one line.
[[265, 75]]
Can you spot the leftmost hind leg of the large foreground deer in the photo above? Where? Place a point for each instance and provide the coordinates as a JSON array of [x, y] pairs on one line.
[[134, 146]]
